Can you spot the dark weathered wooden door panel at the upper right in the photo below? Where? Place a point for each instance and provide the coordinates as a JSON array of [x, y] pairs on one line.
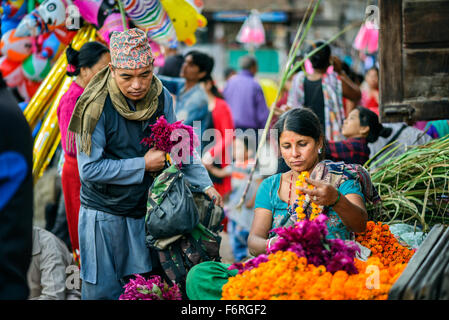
[[414, 60]]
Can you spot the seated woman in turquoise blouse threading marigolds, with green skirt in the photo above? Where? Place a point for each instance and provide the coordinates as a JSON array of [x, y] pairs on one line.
[[340, 189]]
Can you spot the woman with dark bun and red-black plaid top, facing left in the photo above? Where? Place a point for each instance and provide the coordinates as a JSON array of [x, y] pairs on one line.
[[359, 128]]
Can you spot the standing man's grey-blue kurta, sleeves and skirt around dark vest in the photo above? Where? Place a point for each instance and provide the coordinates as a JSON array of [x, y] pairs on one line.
[[113, 246]]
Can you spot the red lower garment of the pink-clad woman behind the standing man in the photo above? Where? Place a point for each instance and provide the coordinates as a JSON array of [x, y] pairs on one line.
[[71, 186]]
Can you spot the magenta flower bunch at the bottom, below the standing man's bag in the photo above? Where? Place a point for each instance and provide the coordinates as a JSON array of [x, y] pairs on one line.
[[150, 289]]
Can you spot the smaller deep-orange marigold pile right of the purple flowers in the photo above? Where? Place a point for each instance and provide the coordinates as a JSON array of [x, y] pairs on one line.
[[383, 244]]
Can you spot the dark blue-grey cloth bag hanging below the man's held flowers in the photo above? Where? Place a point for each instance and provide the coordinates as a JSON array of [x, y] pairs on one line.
[[171, 209]]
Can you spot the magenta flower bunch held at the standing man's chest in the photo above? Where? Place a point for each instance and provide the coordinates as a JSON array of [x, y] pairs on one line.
[[166, 136]]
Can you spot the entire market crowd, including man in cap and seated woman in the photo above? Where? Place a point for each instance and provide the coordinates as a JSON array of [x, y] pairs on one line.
[[323, 118]]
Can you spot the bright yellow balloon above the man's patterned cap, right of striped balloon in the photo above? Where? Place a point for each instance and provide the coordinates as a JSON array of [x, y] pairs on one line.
[[185, 19]]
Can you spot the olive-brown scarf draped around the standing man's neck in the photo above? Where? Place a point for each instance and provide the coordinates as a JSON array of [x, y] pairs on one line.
[[90, 104]]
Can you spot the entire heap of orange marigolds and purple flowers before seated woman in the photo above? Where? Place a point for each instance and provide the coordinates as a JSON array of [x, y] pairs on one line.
[[302, 265]]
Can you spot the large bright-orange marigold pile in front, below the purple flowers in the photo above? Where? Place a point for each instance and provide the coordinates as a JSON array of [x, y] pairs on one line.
[[285, 276]]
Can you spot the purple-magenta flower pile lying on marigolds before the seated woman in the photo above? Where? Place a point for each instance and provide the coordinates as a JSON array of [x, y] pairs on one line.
[[307, 238]]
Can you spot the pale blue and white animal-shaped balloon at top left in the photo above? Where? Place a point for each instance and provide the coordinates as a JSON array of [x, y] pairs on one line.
[[47, 16]]
